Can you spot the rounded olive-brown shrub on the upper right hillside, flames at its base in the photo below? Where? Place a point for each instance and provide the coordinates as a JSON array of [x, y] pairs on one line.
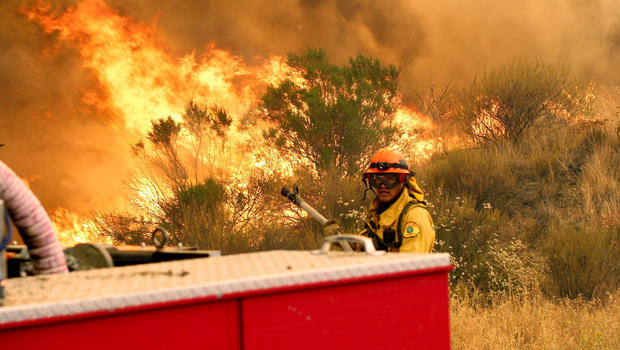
[[502, 104]]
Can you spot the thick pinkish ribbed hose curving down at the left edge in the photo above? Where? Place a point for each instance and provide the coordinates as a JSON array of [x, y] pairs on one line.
[[33, 223]]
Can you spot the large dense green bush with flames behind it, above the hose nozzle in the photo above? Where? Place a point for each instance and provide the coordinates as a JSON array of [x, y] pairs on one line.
[[337, 117]]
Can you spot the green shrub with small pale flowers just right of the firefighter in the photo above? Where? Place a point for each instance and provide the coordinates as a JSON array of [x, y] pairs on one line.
[[487, 254]]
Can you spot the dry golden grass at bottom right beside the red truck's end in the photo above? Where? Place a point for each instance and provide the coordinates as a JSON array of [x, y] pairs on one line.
[[536, 323]]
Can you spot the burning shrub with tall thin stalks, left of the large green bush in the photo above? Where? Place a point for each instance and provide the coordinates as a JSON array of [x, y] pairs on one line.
[[190, 207]]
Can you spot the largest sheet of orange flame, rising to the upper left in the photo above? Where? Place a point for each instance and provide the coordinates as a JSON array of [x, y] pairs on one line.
[[143, 80]]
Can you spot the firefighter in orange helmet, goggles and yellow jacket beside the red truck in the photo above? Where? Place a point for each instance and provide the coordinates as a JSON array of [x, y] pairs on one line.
[[397, 219]]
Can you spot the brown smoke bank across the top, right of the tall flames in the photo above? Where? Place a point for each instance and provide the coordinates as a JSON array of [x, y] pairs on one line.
[[442, 41]]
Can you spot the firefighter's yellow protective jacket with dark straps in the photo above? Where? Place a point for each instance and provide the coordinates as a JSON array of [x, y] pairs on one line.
[[416, 225]]
